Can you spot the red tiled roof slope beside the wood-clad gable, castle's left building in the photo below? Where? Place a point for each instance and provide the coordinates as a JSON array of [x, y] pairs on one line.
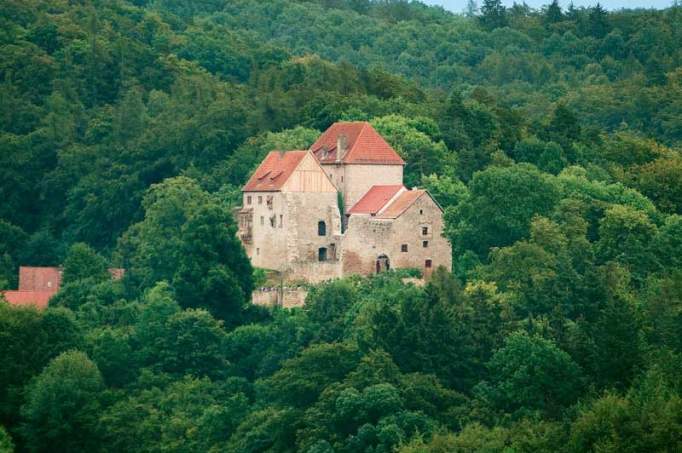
[[274, 171]]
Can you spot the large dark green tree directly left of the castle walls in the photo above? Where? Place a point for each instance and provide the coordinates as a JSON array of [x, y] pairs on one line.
[[189, 239]]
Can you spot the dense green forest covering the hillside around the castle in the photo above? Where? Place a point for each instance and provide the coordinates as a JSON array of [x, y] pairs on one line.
[[552, 138]]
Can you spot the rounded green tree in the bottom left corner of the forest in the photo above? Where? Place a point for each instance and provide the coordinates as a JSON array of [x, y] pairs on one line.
[[62, 405]]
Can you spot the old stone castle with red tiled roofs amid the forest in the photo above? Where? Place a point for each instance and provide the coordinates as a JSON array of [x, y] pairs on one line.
[[339, 208]]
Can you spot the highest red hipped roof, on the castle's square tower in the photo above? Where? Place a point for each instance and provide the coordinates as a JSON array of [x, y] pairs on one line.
[[364, 145]]
